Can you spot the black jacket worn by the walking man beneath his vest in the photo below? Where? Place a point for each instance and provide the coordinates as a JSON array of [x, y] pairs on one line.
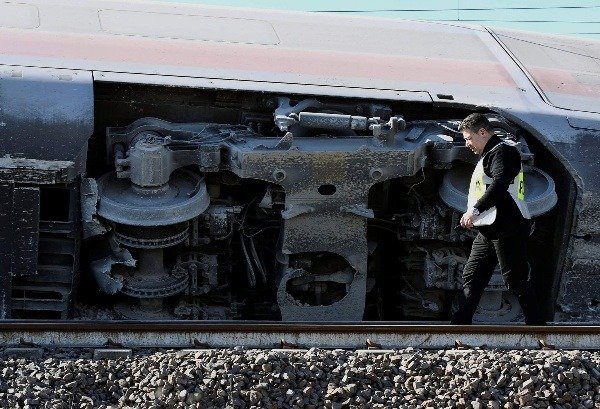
[[502, 165]]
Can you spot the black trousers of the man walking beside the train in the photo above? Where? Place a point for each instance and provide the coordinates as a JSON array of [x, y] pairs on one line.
[[511, 253]]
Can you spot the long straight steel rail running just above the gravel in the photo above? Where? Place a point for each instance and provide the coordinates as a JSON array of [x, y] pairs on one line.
[[99, 334]]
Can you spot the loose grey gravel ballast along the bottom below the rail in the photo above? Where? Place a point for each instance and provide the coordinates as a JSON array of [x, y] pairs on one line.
[[406, 378]]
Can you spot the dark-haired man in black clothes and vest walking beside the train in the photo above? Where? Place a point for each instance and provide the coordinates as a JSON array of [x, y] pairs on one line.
[[497, 208]]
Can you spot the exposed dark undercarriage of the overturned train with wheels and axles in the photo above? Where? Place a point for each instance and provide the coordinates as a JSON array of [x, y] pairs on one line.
[[218, 205]]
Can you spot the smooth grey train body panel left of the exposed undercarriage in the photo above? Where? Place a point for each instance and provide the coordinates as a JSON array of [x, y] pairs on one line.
[[46, 115]]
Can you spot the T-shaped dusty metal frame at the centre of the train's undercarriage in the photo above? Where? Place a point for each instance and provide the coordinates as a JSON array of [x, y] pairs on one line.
[[334, 223]]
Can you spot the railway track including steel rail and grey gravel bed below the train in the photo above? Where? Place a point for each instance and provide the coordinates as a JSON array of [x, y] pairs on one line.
[[109, 364]]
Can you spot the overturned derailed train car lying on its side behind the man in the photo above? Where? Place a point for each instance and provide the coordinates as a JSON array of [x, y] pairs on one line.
[[186, 162]]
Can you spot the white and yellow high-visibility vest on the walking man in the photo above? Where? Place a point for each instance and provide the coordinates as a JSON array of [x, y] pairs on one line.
[[480, 182]]
